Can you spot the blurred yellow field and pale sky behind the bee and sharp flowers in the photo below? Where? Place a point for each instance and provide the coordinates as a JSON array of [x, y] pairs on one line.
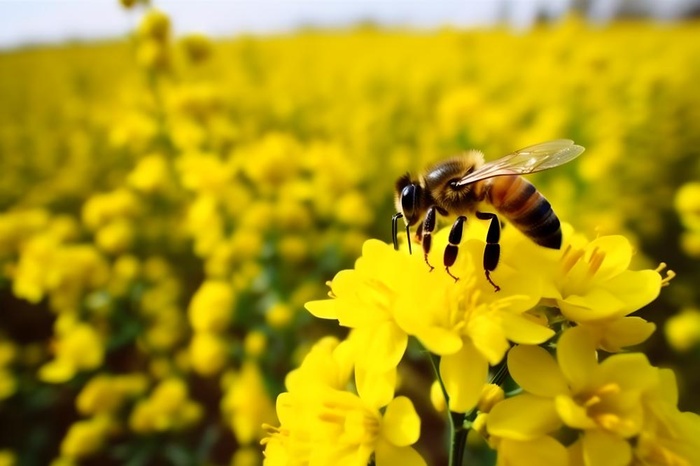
[[169, 200]]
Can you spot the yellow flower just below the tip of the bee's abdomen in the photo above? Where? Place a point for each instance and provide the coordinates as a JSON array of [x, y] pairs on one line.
[[591, 284]]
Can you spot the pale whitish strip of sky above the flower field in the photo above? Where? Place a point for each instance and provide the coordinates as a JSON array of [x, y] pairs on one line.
[[42, 21]]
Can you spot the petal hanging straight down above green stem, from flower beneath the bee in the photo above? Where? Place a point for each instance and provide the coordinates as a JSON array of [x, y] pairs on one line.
[[464, 375]]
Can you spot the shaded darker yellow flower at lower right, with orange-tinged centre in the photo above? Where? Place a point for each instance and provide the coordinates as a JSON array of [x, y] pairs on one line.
[[608, 402]]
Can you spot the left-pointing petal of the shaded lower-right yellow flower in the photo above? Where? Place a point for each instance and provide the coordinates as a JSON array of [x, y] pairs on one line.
[[523, 417]]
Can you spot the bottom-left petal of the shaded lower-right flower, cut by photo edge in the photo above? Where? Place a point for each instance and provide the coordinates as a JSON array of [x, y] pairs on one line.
[[538, 452]]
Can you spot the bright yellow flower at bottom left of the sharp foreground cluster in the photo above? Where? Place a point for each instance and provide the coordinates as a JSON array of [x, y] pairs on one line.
[[321, 423]]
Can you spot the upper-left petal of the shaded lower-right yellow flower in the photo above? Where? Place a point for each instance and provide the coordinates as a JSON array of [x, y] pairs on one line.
[[536, 371]]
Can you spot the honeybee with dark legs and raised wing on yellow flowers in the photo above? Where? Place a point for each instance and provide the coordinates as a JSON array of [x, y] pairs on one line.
[[459, 185]]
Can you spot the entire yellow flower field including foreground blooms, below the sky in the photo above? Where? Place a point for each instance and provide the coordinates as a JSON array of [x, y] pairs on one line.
[[171, 209]]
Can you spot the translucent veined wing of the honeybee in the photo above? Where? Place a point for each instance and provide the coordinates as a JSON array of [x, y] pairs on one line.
[[528, 160]]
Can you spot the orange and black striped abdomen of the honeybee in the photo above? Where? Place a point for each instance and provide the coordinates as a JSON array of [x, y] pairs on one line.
[[518, 200]]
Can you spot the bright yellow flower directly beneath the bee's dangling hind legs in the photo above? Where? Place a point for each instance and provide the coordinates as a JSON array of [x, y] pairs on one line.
[[467, 323]]
